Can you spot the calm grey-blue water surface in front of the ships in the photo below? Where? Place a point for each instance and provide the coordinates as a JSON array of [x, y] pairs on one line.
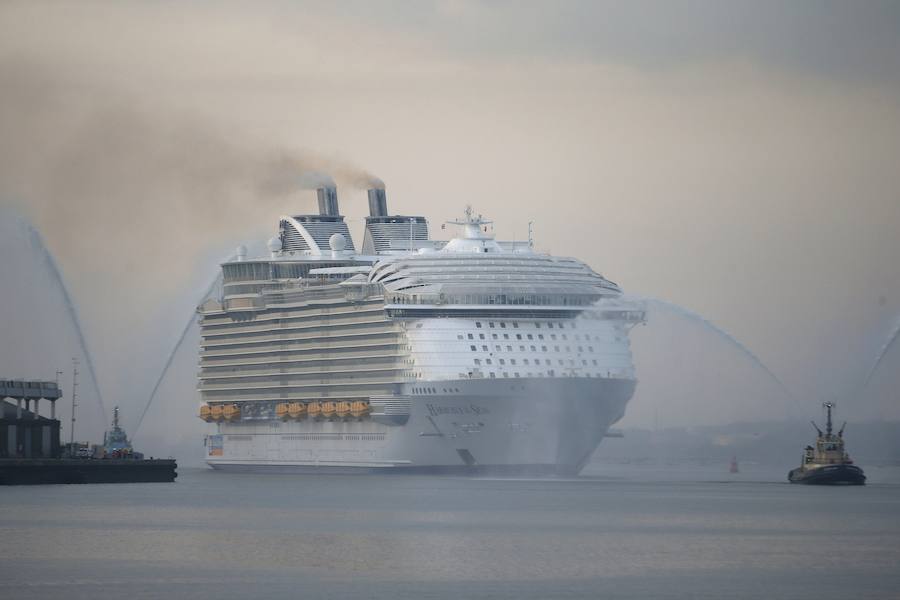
[[617, 532]]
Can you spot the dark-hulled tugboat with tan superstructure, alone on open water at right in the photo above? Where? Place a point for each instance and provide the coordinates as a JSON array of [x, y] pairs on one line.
[[828, 463]]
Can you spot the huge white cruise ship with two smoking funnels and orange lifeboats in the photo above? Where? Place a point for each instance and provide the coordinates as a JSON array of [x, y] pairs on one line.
[[463, 356]]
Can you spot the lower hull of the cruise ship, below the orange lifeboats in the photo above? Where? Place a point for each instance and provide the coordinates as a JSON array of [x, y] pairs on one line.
[[535, 426]]
